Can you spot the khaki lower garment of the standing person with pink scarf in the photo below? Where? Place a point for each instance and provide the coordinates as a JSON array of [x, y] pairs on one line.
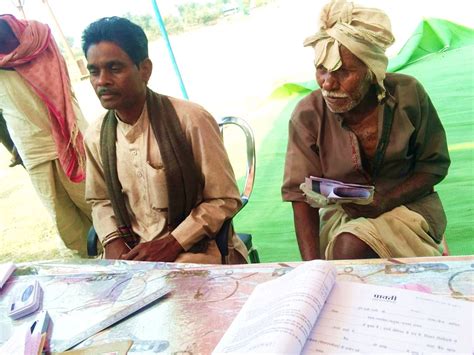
[[65, 202]]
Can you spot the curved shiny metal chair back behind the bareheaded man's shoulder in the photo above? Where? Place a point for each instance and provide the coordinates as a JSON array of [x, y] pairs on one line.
[[250, 149]]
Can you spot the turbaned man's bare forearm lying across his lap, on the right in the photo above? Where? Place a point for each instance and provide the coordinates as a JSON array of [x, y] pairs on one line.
[[419, 184]]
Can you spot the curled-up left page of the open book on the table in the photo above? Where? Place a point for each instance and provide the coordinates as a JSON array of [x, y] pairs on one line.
[[279, 314]]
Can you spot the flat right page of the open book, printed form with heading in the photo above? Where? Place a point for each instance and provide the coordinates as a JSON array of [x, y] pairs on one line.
[[376, 319]]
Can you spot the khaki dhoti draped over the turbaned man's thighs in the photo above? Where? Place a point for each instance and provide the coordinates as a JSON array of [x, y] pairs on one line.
[[400, 232]]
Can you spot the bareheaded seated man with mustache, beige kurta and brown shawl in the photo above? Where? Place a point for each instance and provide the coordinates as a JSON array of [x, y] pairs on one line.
[[158, 176]]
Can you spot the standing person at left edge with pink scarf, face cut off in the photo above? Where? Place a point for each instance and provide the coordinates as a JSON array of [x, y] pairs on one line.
[[45, 123]]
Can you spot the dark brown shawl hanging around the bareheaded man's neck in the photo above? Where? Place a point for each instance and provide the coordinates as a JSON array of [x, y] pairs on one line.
[[182, 178]]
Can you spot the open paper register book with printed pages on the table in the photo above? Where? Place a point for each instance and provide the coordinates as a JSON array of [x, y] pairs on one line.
[[307, 311]]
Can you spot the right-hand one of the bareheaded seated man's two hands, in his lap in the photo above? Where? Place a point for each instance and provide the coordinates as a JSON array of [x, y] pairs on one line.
[[164, 249]]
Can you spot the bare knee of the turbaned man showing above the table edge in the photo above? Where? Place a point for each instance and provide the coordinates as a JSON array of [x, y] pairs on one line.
[[348, 246]]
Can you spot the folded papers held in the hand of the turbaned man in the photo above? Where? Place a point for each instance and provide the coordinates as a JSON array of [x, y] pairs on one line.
[[339, 192]]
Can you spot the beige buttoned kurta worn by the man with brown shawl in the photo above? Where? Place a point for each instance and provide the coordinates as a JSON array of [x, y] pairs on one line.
[[141, 173]]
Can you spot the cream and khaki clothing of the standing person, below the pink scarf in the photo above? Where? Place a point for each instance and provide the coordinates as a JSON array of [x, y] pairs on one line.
[[30, 129]]
